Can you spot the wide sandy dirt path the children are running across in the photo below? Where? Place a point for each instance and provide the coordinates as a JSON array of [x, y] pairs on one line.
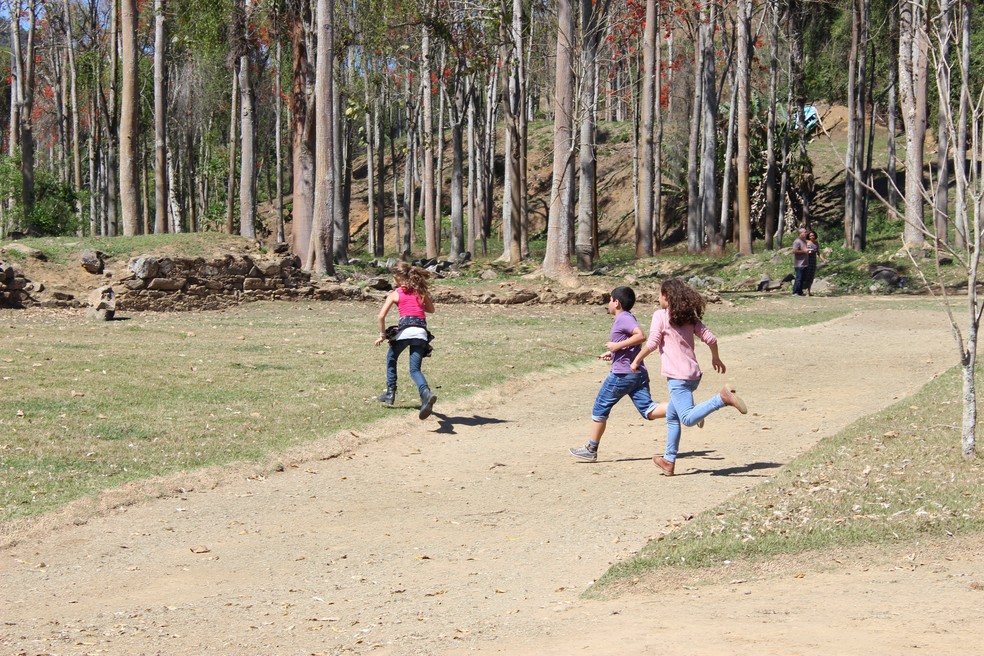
[[474, 532]]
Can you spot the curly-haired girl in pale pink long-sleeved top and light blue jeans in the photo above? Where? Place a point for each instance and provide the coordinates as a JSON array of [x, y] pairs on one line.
[[672, 333]]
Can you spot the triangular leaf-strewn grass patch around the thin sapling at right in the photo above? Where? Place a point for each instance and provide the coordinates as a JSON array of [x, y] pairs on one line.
[[889, 478]]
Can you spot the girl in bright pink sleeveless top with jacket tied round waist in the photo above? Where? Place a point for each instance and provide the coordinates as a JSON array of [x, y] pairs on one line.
[[413, 301]]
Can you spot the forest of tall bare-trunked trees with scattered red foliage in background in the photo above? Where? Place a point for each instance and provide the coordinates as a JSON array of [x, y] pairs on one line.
[[403, 128]]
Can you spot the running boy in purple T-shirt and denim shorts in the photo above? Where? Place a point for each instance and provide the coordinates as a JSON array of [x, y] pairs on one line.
[[622, 348]]
